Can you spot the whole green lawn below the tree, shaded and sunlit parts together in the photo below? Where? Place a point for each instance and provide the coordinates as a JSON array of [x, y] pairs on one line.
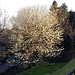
[[51, 69]]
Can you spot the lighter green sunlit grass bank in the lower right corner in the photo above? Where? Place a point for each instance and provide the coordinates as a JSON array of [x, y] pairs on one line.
[[66, 69]]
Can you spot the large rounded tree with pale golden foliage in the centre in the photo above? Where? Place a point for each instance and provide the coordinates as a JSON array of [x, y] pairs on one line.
[[38, 33]]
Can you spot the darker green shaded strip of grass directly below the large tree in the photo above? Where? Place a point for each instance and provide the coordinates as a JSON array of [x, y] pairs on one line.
[[43, 69]]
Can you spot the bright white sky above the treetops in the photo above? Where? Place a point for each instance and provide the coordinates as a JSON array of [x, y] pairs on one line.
[[12, 6]]
